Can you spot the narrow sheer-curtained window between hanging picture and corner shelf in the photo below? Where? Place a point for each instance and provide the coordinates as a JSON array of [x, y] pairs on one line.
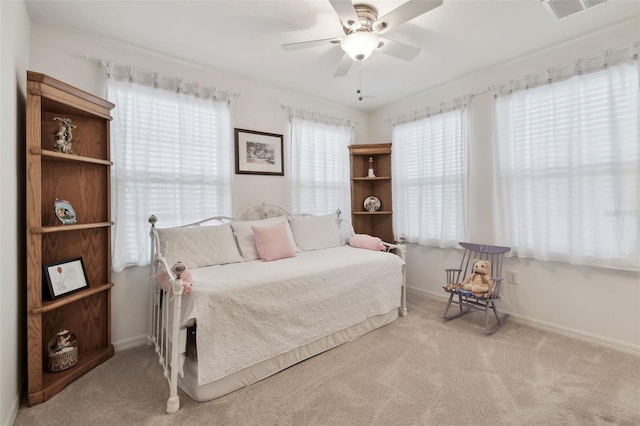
[[319, 178]]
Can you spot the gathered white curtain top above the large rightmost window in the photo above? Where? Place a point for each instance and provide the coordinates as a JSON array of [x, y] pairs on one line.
[[579, 66]]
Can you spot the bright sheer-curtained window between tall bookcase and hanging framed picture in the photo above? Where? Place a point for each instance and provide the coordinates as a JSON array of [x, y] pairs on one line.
[[171, 154]]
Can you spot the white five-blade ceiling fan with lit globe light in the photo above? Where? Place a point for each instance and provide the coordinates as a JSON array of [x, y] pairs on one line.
[[363, 29]]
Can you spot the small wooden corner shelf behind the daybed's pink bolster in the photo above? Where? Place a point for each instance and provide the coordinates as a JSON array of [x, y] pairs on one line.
[[378, 223]]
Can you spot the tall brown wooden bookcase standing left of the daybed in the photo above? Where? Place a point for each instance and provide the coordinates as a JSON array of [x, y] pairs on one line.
[[83, 179]]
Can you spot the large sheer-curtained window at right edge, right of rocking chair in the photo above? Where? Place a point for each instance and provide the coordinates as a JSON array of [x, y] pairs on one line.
[[568, 172]]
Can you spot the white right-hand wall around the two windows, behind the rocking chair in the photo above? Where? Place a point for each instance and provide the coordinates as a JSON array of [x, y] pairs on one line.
[[595, 303]]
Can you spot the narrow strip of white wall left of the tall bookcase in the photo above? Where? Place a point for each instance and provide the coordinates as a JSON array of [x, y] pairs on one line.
[[14, 51]]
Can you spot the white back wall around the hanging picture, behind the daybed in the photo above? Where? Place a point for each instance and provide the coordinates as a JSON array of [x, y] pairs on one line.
[[61, 54]]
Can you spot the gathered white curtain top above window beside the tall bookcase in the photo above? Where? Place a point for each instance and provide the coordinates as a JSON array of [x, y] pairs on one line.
[[156, 79]]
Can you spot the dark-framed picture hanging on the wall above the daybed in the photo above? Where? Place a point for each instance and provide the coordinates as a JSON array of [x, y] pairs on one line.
[[259, 153]]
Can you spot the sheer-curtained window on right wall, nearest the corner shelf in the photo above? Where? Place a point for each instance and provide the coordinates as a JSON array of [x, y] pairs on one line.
[[429, 179]]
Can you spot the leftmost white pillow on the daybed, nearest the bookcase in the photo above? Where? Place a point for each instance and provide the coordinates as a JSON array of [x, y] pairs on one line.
[[199, 246]]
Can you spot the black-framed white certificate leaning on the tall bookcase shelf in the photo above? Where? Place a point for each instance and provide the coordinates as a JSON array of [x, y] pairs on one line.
[[65, 277]]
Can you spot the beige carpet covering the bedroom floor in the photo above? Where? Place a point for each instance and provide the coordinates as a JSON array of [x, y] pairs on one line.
[[416, 371]]
